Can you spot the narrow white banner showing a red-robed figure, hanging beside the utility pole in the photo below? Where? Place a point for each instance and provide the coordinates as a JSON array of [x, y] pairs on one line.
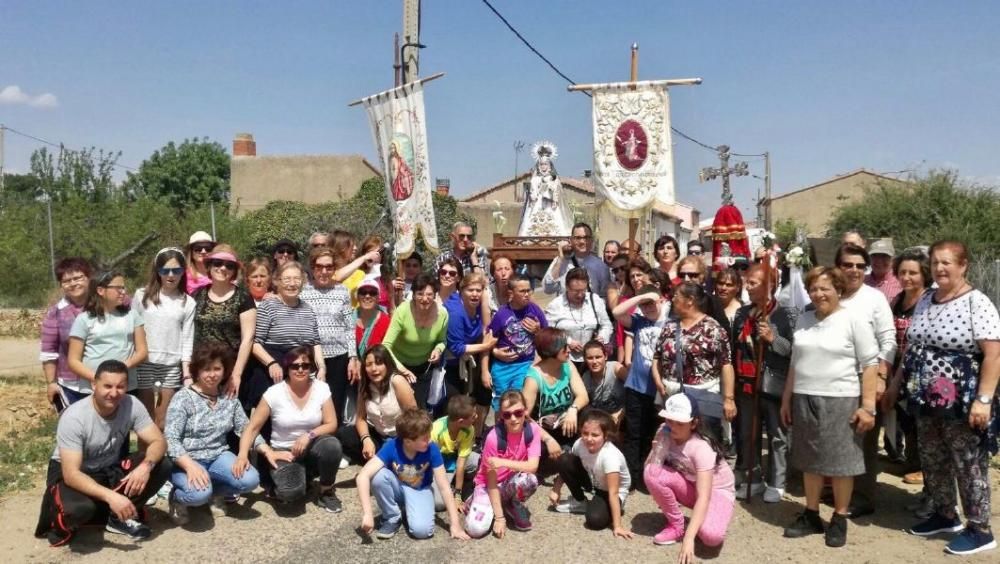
[[400, 132]]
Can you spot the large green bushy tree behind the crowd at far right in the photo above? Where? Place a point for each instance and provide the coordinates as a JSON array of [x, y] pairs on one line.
[[926, 209]]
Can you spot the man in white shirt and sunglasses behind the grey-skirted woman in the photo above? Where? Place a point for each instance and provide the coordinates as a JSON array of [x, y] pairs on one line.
[[869, 304]]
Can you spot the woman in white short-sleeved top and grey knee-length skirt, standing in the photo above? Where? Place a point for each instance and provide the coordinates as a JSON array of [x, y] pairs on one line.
[[828, 408]]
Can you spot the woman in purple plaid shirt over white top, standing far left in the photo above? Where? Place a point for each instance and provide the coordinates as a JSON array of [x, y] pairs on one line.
[[63, 385]]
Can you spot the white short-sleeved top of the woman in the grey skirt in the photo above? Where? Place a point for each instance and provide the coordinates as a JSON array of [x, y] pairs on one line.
[[826, 353]]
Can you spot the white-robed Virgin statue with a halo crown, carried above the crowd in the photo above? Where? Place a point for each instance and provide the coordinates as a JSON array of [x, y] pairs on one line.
[[546, 212]]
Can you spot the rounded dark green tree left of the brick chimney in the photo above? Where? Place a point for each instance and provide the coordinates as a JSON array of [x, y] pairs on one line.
[[193, 173]]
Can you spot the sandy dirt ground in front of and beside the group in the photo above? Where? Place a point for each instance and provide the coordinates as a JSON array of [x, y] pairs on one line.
[[257, 532]]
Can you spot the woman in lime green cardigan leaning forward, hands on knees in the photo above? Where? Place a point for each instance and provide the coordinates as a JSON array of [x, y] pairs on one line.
[[416, 336]]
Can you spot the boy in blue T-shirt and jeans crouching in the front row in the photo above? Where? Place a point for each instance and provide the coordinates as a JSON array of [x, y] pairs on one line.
[[401, 474]]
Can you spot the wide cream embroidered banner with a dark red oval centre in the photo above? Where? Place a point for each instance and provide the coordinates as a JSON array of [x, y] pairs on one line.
[[633, 152]]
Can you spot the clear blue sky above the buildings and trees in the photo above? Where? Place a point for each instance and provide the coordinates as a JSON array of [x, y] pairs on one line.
[[826, 87]]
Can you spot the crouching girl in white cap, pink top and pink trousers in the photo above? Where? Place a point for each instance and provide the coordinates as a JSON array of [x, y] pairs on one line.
[[684, 468]]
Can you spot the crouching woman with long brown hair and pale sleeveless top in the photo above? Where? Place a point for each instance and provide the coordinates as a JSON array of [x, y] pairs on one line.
[[383, 394]]
